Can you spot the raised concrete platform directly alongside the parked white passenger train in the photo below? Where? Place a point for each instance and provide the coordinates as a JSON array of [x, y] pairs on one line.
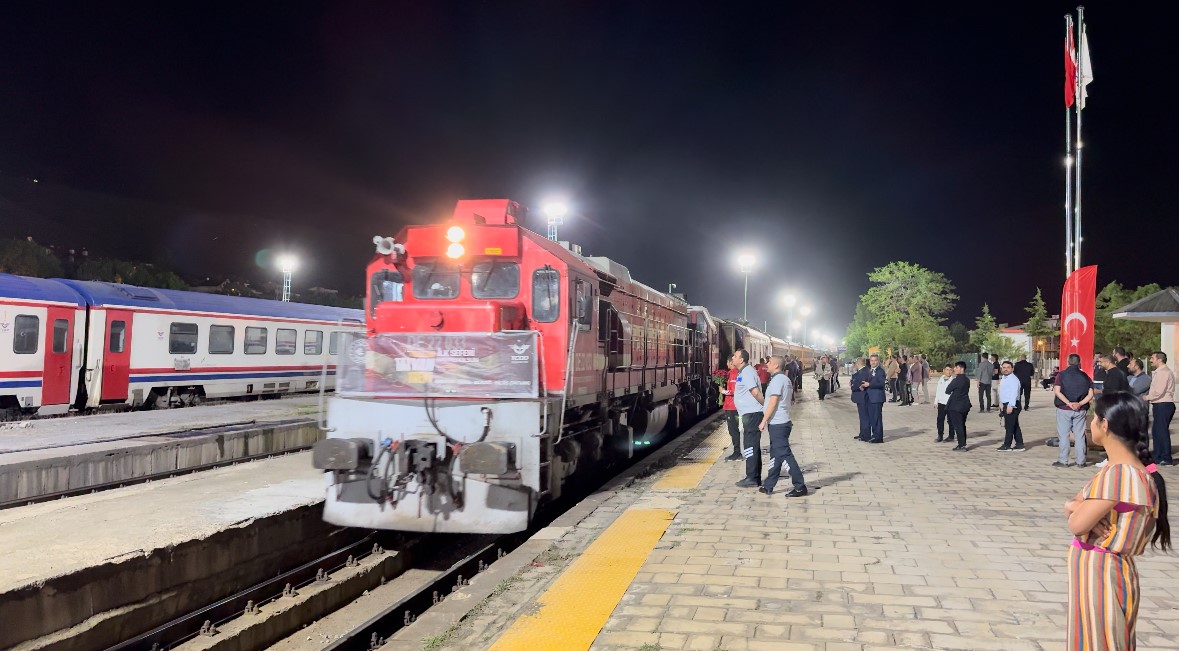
[[50, 457]]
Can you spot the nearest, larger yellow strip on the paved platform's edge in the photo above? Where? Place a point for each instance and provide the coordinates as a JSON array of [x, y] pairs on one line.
[[575, 609]]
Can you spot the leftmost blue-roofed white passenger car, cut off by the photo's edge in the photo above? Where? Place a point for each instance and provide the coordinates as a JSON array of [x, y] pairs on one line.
[[42, 339]]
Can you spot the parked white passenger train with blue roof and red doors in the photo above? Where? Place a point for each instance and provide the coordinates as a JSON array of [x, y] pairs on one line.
[[108, 344]]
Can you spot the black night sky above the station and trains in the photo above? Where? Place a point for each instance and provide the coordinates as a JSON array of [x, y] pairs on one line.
[[829, 141]]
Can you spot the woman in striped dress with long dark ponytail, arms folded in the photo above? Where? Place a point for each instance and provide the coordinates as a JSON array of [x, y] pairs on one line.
[[1112, 520]]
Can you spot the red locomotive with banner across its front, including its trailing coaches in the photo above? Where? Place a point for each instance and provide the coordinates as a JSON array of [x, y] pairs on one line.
[[497, 365]]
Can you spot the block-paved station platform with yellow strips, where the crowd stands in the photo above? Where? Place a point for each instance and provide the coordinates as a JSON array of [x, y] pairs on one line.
[[900, 545]]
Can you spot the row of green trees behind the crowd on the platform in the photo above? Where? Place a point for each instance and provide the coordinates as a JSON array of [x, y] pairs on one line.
[[907, 308]]
